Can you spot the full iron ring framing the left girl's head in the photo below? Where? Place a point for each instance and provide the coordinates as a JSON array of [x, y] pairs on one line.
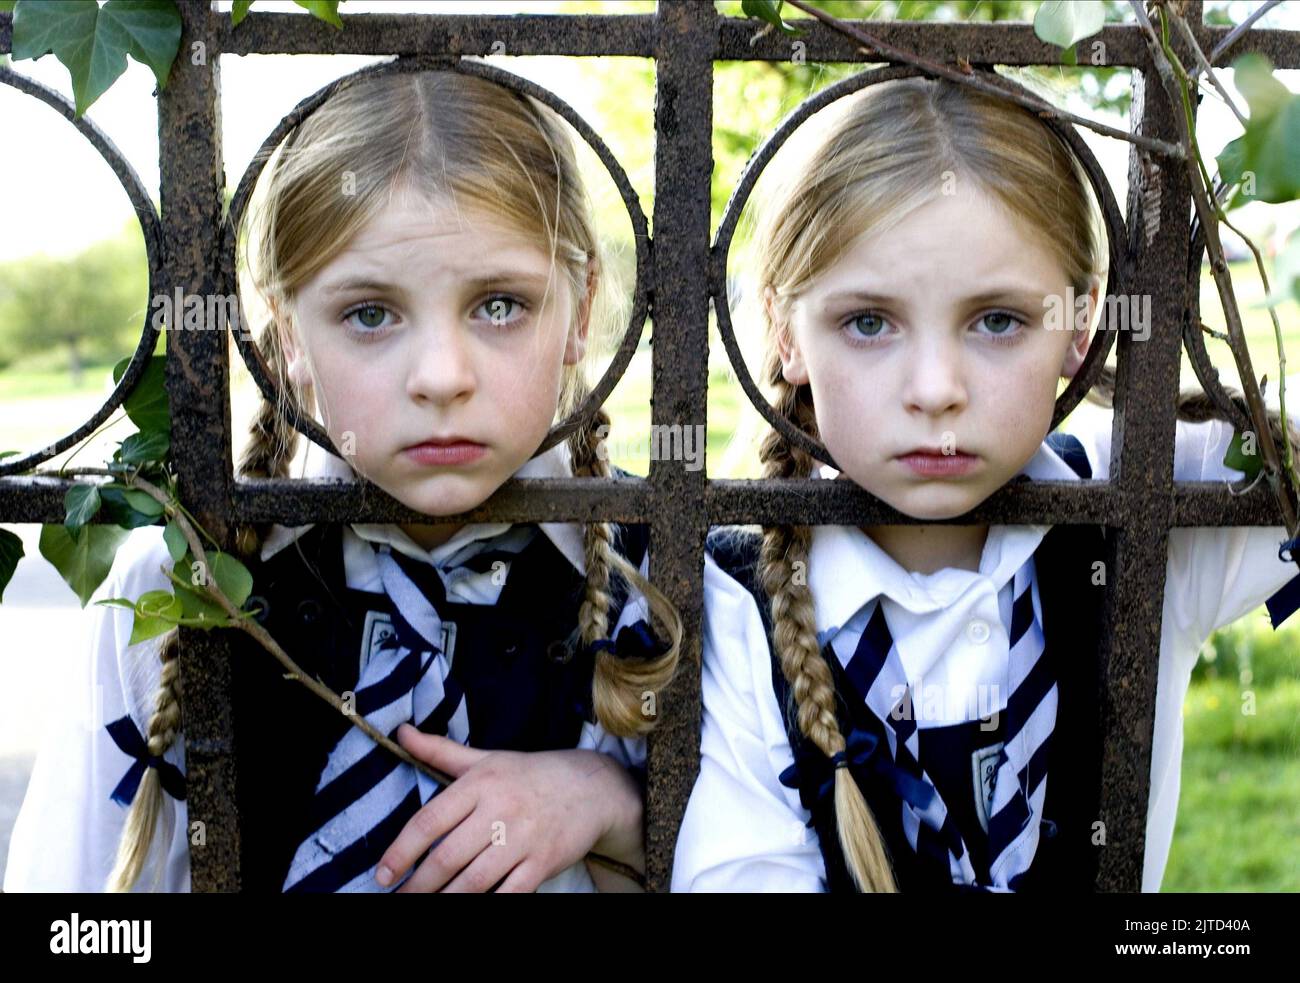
[[289, 409]]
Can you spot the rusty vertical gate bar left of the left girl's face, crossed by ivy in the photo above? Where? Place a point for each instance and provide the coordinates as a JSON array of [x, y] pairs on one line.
[[200, 393]]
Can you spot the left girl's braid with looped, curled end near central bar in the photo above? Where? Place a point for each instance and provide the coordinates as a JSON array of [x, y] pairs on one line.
[[619, 686]]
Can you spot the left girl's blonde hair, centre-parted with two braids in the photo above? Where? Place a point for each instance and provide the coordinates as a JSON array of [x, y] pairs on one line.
[[441, 135]]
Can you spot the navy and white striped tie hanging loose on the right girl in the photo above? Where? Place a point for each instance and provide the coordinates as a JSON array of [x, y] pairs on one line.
[[876, 672]]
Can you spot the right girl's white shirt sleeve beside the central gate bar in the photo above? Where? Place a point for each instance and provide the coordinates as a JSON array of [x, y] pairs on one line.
[[743, 829]]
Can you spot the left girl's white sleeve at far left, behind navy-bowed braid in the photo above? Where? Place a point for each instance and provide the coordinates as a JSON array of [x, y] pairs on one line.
[[68, 830]]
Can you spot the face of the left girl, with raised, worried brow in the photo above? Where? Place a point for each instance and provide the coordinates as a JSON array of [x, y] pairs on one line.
[[434, 345]]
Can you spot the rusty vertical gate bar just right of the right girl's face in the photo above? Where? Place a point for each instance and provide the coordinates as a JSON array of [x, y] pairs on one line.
[[1143, 465]]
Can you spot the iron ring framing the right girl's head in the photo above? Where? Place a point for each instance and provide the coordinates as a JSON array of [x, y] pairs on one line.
[[1116, 235]]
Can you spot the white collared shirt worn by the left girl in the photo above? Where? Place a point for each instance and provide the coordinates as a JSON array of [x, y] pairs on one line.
[[68, 830]]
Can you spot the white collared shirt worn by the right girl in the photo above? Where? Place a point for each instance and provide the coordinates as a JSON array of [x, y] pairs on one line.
[[746, 832]]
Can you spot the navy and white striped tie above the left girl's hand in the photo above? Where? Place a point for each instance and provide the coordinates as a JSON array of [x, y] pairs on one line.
[[366, 795]]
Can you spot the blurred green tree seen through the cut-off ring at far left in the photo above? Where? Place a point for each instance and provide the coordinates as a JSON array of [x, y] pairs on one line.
[[92, 305]]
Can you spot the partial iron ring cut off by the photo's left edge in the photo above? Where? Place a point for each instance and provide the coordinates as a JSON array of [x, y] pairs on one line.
[[153, 231]]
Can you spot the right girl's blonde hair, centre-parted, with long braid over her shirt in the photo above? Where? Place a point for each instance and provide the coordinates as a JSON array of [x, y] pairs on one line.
[[886, 154]]
